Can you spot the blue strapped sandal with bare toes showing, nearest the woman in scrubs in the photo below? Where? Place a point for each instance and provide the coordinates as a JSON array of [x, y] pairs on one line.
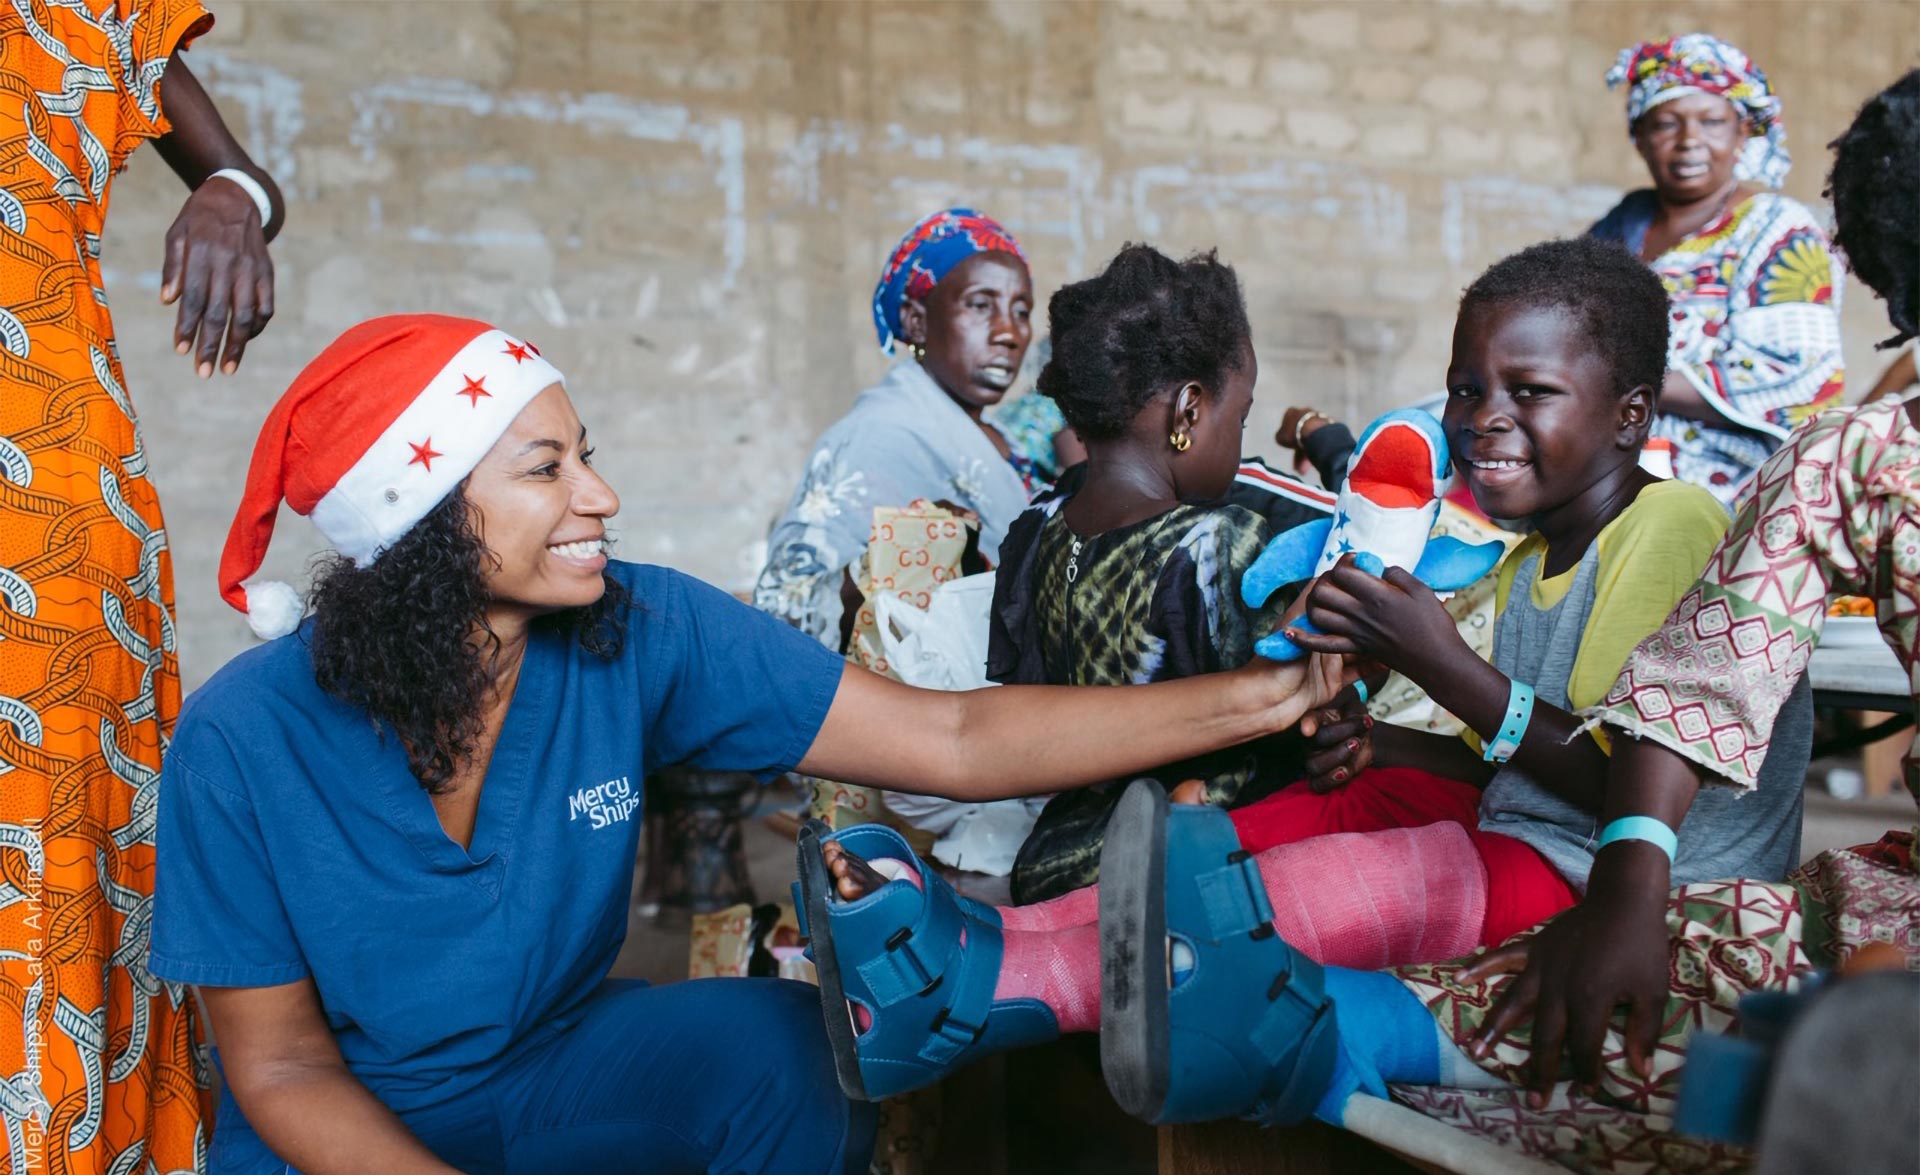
[[923, 963]]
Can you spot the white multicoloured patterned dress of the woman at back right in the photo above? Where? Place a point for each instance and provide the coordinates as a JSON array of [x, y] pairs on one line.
[[1754, 329]]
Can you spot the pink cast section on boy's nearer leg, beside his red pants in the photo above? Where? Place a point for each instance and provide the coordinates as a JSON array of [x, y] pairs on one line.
[[1380, 899]]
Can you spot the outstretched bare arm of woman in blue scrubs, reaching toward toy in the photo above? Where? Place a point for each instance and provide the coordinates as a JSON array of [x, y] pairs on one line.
[[1028, 740]]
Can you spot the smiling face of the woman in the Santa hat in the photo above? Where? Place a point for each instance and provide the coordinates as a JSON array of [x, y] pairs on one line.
[[542, 512]]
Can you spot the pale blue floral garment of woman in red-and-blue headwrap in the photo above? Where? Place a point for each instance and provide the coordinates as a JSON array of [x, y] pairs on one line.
[[903, 441]]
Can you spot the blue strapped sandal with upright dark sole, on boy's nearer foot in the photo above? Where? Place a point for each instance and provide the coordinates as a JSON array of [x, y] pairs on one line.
[[1247, 1028]]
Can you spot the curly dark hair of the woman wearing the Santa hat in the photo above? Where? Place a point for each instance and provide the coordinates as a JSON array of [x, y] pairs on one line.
[[396, 638]]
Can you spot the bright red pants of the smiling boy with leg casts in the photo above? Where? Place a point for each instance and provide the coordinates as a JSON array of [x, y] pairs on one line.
[[1522, 888]]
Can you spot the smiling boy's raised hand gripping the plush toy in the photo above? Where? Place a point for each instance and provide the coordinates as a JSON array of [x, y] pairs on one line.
[[1393, 619]]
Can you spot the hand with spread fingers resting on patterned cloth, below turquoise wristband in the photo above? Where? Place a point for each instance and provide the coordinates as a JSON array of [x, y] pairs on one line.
[[1608, 951]]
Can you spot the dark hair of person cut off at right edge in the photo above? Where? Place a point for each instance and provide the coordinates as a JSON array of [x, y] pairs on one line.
[[1877, 201]]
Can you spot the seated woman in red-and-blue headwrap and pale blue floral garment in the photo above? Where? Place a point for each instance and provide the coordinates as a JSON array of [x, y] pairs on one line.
[[959, 299]]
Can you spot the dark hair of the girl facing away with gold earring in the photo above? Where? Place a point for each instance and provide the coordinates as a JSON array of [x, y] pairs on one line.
[[1145, 325]]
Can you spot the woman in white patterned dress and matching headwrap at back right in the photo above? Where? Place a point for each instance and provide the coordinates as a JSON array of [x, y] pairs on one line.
[[1756, 295]]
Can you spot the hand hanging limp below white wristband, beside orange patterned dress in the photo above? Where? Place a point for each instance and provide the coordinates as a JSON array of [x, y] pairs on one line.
[[218, 270]]
